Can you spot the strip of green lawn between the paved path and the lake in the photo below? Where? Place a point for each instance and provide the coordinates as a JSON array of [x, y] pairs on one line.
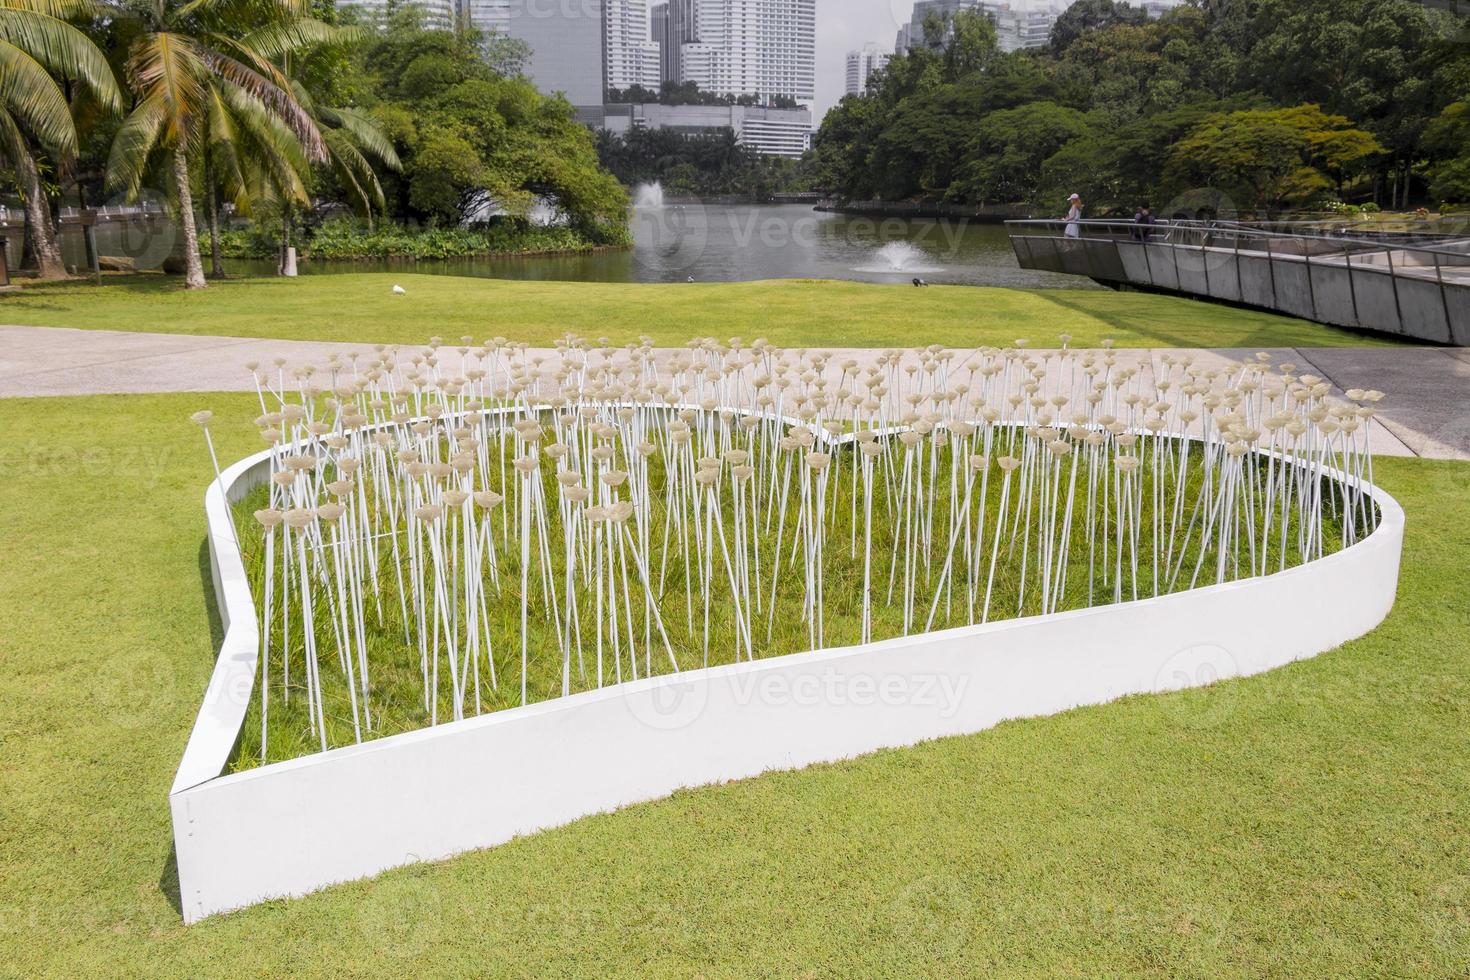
[[792, 314]]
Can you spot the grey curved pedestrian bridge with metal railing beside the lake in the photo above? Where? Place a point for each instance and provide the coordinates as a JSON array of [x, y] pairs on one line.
[[1412, 287]]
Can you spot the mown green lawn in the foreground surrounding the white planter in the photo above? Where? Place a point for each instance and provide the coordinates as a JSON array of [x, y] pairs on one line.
[[1312, 822]]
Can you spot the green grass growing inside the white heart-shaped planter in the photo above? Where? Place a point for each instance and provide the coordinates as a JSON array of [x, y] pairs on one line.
[[396, 691]]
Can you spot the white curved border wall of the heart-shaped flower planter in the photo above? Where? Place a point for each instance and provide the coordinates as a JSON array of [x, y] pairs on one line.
[[293, 828]]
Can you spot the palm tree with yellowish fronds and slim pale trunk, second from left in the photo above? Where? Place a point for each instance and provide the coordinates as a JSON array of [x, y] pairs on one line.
[[195, 61]]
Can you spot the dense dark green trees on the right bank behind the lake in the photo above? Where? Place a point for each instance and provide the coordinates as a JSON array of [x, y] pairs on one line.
[[1256, 108]]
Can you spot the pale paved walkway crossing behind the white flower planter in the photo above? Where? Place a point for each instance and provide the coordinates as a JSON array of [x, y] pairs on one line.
[[1427, 412]]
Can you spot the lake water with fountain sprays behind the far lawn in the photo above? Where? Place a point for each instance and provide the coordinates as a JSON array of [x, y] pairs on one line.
[[677, 243]]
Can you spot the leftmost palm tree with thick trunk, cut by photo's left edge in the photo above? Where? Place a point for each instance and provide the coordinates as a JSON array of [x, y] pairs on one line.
[[37, 46]]
